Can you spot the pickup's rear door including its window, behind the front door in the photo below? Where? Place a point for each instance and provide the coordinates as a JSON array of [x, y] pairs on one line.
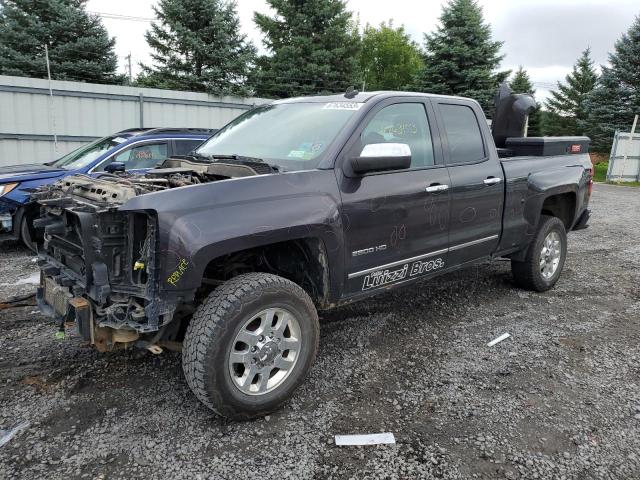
[[477, 183]]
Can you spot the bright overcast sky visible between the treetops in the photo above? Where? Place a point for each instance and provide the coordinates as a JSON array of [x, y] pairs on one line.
[[545, 36]]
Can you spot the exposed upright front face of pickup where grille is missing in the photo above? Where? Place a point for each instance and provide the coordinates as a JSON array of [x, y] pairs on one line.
[[104, 256]]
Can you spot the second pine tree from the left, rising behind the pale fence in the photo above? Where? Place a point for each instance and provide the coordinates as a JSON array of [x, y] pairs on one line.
[[197, 45]]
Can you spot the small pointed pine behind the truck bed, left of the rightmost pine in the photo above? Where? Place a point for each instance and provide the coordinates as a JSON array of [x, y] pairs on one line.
[[566, 106]]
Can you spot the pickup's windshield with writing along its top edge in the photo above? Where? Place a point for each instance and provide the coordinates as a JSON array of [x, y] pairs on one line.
[[290, 135]]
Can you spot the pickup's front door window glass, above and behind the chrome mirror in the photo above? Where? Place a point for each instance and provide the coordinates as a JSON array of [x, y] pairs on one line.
[[402, 123]]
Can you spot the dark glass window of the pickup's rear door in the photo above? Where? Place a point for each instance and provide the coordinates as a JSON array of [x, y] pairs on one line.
[[463, 134]]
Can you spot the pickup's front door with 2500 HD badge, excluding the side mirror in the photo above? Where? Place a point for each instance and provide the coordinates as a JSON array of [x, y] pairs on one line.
[[395, 223]]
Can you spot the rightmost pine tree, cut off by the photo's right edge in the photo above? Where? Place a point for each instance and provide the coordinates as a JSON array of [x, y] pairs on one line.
[[613, 103]]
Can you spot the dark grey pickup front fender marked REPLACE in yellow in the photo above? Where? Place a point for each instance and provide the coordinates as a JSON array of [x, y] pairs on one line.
[[197, 224]]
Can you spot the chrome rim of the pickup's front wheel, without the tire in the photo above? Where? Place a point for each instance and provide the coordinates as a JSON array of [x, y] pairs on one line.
[[265, 351]]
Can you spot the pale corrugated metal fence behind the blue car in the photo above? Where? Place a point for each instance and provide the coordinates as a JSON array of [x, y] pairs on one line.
[[32, 115]]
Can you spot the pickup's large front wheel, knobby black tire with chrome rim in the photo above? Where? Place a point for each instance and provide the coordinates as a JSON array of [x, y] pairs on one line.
[[250, 344]]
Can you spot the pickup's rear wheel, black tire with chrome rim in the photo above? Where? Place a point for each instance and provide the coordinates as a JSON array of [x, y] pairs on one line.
[[545, 257]]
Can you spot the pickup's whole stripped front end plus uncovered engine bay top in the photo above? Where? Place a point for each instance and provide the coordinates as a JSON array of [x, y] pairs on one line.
[[98, 262]]
